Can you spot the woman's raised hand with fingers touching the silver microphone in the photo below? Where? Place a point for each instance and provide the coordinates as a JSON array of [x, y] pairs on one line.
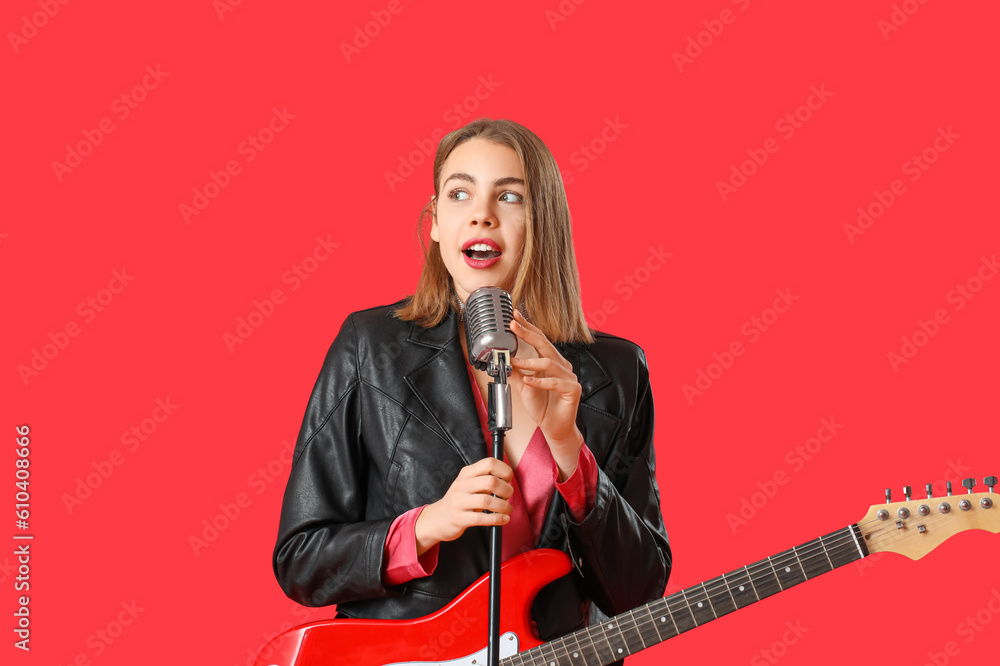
[[550, 395]]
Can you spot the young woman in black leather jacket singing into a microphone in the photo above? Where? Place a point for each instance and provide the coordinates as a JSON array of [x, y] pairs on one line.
[[384, 508]]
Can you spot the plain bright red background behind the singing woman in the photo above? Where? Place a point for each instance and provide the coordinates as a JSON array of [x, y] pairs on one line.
[[681, 129]]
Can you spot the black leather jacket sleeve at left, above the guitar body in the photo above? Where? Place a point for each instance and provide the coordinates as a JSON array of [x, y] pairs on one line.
[[327, 552]]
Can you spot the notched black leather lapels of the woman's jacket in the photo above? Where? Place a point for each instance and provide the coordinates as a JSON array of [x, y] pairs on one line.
[[441, 383]]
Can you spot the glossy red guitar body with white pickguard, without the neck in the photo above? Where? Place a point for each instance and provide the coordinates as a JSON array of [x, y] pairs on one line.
[[456, 633]]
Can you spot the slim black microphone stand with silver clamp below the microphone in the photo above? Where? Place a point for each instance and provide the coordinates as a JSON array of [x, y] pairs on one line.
[[499, 412]]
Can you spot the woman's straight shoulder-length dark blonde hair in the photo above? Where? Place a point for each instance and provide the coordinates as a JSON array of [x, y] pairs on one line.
[[547, 283]]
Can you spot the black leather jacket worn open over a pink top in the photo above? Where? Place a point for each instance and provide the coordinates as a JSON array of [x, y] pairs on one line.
[[390, 423]]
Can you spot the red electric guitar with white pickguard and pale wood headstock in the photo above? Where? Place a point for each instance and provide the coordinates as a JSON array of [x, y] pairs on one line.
[[456, 635]]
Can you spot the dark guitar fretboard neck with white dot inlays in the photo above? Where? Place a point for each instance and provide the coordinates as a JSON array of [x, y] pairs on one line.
[[665, 618]]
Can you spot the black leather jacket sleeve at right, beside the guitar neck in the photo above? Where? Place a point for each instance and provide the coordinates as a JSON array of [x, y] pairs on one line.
[[621, 546]]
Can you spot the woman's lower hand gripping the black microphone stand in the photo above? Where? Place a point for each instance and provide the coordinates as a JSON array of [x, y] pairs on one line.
[[463, 505]]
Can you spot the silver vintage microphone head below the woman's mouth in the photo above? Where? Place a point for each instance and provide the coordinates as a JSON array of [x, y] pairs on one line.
[[488, 312]]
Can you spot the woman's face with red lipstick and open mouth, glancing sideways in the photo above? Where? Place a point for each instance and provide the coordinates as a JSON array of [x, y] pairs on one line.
[[480, 221]]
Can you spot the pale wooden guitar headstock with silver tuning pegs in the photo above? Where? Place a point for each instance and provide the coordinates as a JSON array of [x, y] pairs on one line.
[[915, 527]]
